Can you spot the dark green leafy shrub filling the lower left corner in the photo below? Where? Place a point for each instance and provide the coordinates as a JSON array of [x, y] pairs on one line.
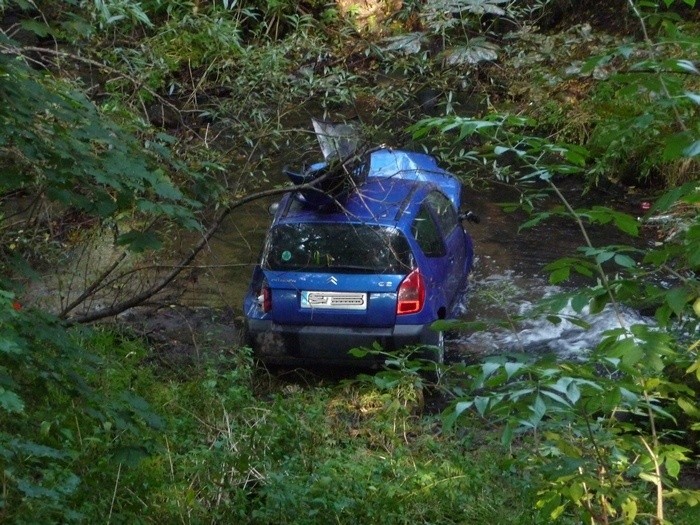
[[57, 418]]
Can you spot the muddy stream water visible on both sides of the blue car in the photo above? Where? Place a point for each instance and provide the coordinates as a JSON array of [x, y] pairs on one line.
[[507, 280]]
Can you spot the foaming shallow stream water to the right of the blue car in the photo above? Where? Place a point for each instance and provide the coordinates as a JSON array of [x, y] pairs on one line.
[[509, 279]]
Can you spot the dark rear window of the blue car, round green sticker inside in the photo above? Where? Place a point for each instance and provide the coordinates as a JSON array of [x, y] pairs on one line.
[[352, 248]]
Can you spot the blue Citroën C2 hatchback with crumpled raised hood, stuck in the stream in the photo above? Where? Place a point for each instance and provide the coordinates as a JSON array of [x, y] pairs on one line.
[[378, 262]]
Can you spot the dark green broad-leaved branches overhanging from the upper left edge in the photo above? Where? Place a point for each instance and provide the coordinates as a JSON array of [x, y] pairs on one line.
[[57, 143]]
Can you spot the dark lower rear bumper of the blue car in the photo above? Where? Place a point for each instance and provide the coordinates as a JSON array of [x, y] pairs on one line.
[[277, 343]]
